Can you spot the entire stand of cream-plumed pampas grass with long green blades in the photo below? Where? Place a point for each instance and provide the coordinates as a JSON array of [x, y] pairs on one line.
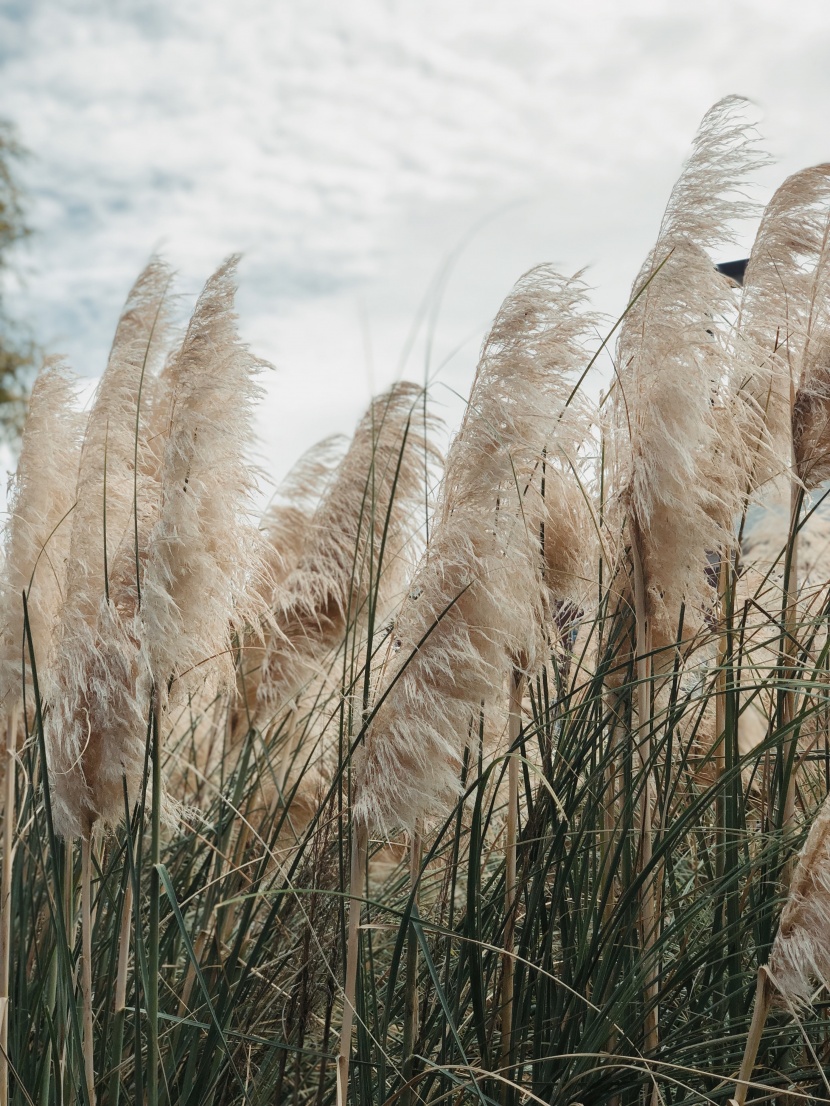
[[565, 703]]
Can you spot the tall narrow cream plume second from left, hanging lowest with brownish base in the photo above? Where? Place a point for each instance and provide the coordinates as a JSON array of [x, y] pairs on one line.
[[97, 690]]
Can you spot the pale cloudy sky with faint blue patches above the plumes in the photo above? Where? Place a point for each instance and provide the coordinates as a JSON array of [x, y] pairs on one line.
[[348, 150]]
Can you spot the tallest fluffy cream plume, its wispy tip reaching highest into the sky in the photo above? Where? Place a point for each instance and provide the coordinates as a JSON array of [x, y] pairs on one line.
[[682, 477]]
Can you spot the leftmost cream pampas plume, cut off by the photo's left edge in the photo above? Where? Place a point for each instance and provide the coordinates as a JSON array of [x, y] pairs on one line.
[[38, 533]]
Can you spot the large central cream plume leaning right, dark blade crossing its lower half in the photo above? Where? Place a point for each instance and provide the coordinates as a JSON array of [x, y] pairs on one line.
[[475, 608]]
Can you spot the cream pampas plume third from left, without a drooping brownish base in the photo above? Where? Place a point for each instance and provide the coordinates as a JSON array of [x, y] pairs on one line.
[[205, 552]]
